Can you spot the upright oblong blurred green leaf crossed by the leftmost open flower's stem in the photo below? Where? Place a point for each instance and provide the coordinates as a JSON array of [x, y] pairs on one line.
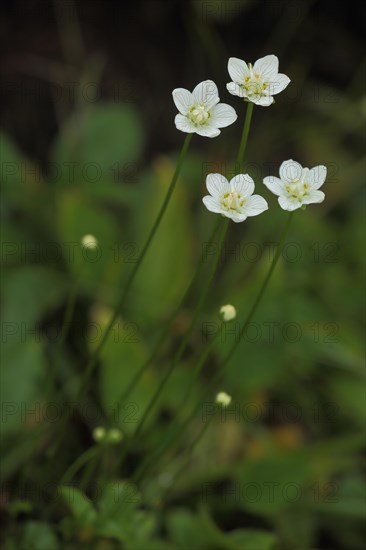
[[167, 267]]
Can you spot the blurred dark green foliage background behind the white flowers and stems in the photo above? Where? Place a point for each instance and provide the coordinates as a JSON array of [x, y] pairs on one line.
[[88, 146]]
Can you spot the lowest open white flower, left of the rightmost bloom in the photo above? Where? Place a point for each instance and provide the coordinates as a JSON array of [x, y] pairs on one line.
[[233, 199]]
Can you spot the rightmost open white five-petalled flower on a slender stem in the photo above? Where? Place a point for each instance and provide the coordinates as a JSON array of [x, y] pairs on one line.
[[297, 186]]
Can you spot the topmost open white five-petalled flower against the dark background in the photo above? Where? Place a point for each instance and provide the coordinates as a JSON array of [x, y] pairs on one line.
[[258, 83]]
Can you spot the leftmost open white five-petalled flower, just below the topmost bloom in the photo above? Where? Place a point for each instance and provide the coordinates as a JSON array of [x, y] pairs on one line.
[[201, 112]]
